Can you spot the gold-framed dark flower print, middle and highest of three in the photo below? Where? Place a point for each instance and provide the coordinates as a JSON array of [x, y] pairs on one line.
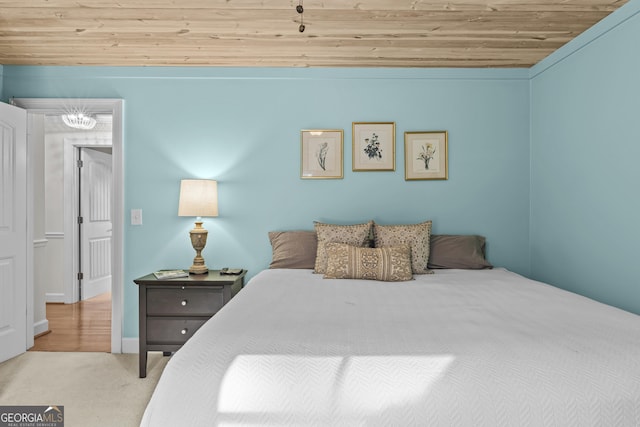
[[374, 146]]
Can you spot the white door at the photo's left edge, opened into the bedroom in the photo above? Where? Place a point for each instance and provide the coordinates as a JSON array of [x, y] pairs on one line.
[[13, 231]]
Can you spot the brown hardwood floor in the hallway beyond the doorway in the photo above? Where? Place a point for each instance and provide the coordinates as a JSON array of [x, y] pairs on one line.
[[83, 326]]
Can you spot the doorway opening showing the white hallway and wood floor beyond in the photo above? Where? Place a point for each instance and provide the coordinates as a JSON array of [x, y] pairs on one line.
[[77, 201]]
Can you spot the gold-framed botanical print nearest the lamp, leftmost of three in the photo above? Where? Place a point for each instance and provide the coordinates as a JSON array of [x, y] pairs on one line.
[[321, 154]]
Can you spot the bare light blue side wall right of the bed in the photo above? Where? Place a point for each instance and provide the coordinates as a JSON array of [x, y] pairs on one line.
[[585, 174]]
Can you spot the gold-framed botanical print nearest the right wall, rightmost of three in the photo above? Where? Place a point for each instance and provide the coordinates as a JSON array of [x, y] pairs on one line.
[[426, 155]]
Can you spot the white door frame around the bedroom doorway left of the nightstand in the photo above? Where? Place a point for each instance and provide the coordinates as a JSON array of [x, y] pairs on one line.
[[93, 106]]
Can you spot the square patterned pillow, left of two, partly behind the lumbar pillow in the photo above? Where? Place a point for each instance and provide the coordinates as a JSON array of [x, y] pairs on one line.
[[356, 235]]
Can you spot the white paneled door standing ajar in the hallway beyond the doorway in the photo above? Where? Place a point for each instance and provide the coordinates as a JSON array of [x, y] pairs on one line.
[[95, 232]]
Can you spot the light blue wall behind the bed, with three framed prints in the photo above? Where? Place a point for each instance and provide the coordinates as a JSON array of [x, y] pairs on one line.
[[242, 127]]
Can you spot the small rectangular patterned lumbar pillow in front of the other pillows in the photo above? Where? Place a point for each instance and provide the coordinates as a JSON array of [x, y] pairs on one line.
[[389, 264]]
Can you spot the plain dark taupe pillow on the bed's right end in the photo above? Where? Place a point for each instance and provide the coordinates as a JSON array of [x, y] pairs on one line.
[[458, 251]]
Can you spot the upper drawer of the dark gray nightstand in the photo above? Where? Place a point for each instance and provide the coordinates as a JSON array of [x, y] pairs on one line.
[[184, 302]]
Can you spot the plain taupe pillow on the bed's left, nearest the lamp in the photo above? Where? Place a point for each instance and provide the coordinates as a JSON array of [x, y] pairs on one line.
[[293, 249]]
